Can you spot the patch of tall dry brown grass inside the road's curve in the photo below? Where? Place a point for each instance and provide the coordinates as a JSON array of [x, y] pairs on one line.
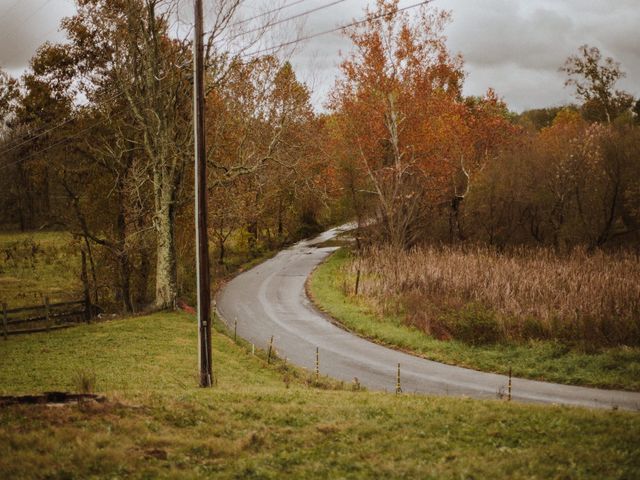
[[481, 295]]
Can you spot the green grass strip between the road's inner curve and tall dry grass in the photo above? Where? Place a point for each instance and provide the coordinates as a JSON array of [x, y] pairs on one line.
[[543, 360]]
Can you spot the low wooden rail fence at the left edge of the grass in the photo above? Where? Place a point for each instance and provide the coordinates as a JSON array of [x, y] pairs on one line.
[[45, 317]]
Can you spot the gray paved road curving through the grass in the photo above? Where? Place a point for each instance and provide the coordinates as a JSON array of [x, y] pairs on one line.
[[270, 299]]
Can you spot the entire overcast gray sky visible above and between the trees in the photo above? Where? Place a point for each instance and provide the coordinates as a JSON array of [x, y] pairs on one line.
[[514, 46]]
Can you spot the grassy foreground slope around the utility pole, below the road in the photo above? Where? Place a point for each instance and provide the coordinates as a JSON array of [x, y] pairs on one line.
[[265, 421]]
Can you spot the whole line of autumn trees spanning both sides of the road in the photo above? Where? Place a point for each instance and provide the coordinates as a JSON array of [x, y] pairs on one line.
[[96, 138]]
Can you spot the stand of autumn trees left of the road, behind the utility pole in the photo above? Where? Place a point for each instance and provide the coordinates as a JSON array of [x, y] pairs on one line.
[[116, 171]]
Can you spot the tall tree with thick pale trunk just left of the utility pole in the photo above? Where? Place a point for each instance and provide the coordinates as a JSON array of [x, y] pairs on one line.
[[125, 46]]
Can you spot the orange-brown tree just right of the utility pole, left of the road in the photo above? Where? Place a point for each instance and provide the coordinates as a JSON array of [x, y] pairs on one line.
[[261, 131]]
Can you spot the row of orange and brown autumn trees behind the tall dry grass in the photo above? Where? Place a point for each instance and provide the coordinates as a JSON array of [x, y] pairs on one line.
[[418, 162]]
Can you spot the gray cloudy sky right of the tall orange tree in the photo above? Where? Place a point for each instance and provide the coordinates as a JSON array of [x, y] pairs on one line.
[[517, 46]]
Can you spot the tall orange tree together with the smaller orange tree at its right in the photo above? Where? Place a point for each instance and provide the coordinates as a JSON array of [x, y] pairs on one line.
[[402, 131]]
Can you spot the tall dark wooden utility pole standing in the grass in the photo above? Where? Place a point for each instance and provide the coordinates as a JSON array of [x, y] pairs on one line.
[[202, 240]]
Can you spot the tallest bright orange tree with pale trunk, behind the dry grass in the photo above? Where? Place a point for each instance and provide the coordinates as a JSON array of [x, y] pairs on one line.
[[396, 89]]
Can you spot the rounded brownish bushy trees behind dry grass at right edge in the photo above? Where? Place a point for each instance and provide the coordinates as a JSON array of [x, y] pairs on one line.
[[570, 184]]
